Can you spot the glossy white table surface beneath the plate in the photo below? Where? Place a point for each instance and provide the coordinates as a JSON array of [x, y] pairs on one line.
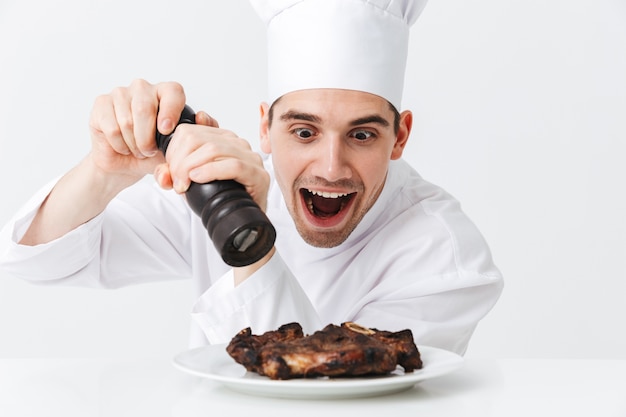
[[154, 387]]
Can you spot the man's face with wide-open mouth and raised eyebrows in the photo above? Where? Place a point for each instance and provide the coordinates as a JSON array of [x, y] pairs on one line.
[[331, 149]]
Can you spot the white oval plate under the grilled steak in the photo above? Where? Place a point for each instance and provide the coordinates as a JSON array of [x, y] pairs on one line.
[[214, 363]]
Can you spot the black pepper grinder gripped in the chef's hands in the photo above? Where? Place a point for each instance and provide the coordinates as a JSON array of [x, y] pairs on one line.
[[239, 229]]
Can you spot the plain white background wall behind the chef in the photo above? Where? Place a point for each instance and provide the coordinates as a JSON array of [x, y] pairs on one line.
[[520, 112]]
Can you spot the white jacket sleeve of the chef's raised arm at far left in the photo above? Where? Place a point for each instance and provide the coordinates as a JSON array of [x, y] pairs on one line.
[[140, 237]]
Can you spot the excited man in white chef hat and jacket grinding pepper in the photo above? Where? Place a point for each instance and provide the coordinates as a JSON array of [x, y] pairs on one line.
[[360, 235]]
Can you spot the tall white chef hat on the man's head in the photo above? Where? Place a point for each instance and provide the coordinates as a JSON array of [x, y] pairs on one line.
[[346, 44]]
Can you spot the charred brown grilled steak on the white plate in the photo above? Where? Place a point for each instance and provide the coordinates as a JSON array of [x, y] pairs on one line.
[[335, 351]]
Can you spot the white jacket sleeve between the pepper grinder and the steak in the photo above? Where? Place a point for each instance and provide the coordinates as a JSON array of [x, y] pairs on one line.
[[267, 299]]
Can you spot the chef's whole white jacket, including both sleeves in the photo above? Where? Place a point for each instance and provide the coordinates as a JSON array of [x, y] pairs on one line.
[[414, 262]]
